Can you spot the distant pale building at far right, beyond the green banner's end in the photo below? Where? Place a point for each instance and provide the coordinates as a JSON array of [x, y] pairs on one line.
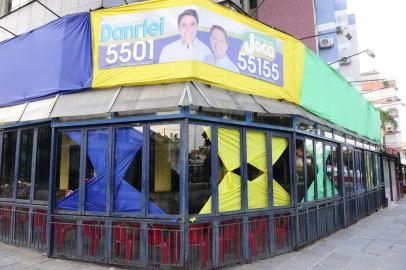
[[383, 94]]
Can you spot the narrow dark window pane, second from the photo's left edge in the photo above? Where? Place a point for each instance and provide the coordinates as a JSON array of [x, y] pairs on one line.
[[25, 164]]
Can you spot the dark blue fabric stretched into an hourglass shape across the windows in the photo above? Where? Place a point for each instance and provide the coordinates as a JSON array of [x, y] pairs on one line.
[[126, 198]]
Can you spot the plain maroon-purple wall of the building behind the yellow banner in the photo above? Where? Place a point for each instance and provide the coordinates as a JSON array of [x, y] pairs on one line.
[[295, 17]]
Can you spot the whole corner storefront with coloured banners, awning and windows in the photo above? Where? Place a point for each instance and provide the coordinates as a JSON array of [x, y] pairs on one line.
[[170, 164]]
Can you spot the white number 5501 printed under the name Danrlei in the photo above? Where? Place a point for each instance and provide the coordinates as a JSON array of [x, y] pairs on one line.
[[139, 51]]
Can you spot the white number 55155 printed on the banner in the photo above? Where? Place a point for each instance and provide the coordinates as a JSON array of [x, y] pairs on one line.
[[256, 65]]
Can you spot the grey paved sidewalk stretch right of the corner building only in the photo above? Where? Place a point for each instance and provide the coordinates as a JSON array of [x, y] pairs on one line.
[[375, 242]]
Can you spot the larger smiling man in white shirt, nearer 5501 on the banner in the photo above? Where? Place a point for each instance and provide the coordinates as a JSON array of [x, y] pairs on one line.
[[188, 47]]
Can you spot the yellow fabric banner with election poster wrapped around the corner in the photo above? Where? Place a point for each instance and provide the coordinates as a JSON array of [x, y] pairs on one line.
[[181, 40]]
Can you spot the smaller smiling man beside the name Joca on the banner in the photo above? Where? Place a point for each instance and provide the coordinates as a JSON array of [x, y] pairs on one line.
[[219, 47]]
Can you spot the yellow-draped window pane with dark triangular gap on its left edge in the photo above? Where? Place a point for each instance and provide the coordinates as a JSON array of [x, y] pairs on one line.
[[257, 170]]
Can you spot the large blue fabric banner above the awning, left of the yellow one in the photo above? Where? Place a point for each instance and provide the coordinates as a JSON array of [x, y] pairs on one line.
[[55, 58]]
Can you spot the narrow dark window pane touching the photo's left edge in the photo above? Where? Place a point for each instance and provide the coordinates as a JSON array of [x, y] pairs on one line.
[[7, 166]]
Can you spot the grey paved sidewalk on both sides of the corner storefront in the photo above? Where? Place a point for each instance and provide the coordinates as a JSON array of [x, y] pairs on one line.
[[375, 242]]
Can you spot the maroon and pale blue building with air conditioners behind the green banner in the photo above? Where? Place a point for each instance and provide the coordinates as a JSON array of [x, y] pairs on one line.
[[304, 18]]
